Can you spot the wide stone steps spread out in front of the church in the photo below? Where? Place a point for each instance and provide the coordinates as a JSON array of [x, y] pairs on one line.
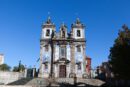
[[59, 82]]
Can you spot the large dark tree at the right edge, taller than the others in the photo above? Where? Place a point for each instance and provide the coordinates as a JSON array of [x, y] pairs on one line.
[[119, 56]]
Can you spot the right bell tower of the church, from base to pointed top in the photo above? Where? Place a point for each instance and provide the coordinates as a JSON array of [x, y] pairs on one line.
[[78, 34]]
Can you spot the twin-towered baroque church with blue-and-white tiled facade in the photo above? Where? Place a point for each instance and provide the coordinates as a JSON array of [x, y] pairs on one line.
[[62, 54]]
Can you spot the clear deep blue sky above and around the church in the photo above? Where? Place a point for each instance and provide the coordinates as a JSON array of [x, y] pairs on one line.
[[21, 20]]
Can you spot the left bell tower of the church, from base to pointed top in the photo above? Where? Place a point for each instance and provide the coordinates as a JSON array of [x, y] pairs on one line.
[[45, 48]]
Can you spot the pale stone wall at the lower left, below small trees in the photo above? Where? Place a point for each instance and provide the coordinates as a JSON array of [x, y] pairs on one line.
[[8, 77]]
